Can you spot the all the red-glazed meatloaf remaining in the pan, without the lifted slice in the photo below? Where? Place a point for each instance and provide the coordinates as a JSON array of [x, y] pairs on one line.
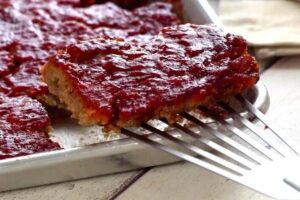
[[33, 30]]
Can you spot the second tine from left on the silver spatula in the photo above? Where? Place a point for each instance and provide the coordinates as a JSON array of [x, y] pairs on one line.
[[235, 168]]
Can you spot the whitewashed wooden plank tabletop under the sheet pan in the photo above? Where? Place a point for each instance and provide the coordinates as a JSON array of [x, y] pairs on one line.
[[184, 180]]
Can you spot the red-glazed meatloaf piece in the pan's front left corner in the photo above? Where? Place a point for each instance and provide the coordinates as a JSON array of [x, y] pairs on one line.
[[23, 127]]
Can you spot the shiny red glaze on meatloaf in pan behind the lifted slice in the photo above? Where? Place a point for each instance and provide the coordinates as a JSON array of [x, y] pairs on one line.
[[33, 30]]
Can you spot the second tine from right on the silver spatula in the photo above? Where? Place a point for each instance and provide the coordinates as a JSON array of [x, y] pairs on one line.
[[259, 133]]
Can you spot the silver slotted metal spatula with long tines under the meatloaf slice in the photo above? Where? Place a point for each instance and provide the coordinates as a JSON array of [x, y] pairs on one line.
[[251, 157]]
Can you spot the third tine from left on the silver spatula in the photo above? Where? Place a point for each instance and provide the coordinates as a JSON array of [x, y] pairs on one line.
[[247, 164]]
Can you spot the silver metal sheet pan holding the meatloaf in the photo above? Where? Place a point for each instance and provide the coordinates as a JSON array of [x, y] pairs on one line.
[[89, 153]]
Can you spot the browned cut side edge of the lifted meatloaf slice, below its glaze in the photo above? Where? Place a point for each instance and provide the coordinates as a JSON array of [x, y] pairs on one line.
[[62, 88]]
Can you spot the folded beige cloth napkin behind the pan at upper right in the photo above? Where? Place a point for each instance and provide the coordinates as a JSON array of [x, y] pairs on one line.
[[271, 26]]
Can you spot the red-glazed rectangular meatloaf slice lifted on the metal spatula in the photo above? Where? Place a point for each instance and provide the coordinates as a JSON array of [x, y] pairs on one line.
[[119, 82]]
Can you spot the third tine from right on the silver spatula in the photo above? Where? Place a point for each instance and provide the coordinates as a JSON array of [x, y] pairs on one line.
[[267, 153]]
